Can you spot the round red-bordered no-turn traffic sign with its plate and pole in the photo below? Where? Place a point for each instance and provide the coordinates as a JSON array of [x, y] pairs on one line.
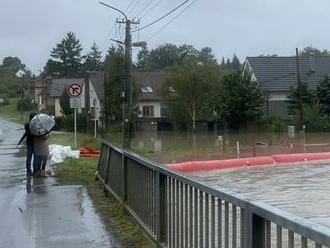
[[74, 91]]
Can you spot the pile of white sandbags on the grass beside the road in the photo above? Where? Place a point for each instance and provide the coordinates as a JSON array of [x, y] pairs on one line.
[[59, 153]]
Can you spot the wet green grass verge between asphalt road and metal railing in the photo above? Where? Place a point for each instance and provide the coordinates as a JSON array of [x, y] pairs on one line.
[[118, 221]]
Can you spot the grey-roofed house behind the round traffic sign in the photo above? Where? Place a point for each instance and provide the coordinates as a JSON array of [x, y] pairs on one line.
[[49, 91]]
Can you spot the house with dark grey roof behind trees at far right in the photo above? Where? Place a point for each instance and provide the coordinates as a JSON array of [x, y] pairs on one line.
[[277, 74]]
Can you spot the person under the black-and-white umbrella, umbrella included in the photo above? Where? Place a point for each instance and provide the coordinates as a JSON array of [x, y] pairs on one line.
[[41, 125]]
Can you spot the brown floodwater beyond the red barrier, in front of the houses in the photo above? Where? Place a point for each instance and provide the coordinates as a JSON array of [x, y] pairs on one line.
[[170, 147]]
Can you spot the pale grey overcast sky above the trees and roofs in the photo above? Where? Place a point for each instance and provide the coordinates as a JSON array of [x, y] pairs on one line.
[[31, 28]]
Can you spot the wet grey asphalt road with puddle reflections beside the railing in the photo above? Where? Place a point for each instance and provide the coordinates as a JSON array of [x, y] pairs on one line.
[[38, 213]]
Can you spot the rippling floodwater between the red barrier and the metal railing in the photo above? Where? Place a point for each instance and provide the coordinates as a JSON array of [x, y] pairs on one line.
[[303, 190]]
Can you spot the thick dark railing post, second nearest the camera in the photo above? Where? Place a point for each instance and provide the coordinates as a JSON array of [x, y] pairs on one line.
[[161, 208]]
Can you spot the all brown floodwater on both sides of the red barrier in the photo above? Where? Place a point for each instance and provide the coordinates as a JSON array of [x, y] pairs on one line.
[[300, 189]]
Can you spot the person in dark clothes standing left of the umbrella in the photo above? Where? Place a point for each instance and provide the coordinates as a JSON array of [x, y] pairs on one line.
[[29, 145]]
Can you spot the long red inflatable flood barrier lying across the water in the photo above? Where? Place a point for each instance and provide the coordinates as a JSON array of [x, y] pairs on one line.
[[251, 161]]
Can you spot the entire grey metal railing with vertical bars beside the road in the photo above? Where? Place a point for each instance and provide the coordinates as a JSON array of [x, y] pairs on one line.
[[177, 211]]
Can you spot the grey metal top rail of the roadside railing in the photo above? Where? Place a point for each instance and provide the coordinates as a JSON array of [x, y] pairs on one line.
[[308, 229]]
